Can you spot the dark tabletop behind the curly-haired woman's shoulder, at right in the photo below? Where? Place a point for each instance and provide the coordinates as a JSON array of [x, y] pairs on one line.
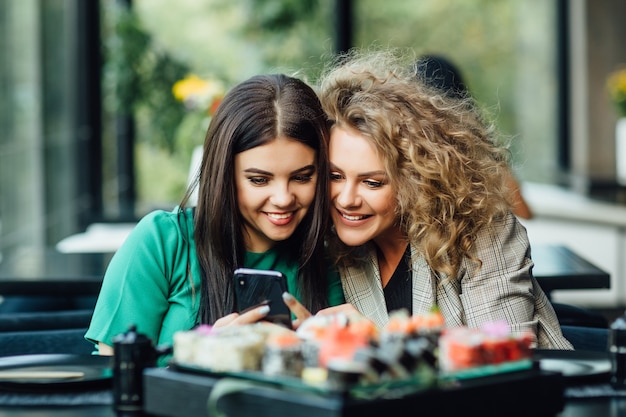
[[559, 268]]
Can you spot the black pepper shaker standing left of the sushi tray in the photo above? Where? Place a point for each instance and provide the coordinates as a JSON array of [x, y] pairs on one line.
[[132, 353]]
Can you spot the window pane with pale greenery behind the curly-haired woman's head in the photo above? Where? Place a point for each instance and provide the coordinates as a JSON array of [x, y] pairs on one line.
[[506, 51]]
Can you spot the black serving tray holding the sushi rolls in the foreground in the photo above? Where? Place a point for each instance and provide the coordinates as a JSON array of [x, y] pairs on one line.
[[171, 393]]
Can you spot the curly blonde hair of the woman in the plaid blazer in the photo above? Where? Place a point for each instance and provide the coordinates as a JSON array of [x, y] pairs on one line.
[[439, 153]]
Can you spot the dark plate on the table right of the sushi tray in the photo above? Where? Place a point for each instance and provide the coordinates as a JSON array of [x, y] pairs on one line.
[[576, 365]]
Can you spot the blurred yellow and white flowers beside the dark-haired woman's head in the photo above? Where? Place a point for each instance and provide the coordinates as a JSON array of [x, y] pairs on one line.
[[198, 93]]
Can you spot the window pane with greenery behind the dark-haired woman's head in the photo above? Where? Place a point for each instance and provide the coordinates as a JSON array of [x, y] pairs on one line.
[[220, 41]]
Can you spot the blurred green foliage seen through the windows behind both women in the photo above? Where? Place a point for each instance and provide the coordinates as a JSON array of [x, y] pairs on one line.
[[154, 43]]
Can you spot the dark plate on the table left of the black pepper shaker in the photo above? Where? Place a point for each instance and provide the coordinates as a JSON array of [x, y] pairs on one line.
[[97, 372]]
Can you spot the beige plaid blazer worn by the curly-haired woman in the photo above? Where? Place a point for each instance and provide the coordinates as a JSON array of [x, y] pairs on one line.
[[502, 289]]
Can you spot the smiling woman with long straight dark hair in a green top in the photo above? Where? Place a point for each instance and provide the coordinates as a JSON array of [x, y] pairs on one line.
[[262, 203]]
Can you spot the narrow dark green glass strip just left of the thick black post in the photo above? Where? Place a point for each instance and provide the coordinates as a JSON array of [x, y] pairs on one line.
[[57, 163]]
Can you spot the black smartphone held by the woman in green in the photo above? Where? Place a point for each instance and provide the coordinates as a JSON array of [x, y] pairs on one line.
[[256, 287]]
